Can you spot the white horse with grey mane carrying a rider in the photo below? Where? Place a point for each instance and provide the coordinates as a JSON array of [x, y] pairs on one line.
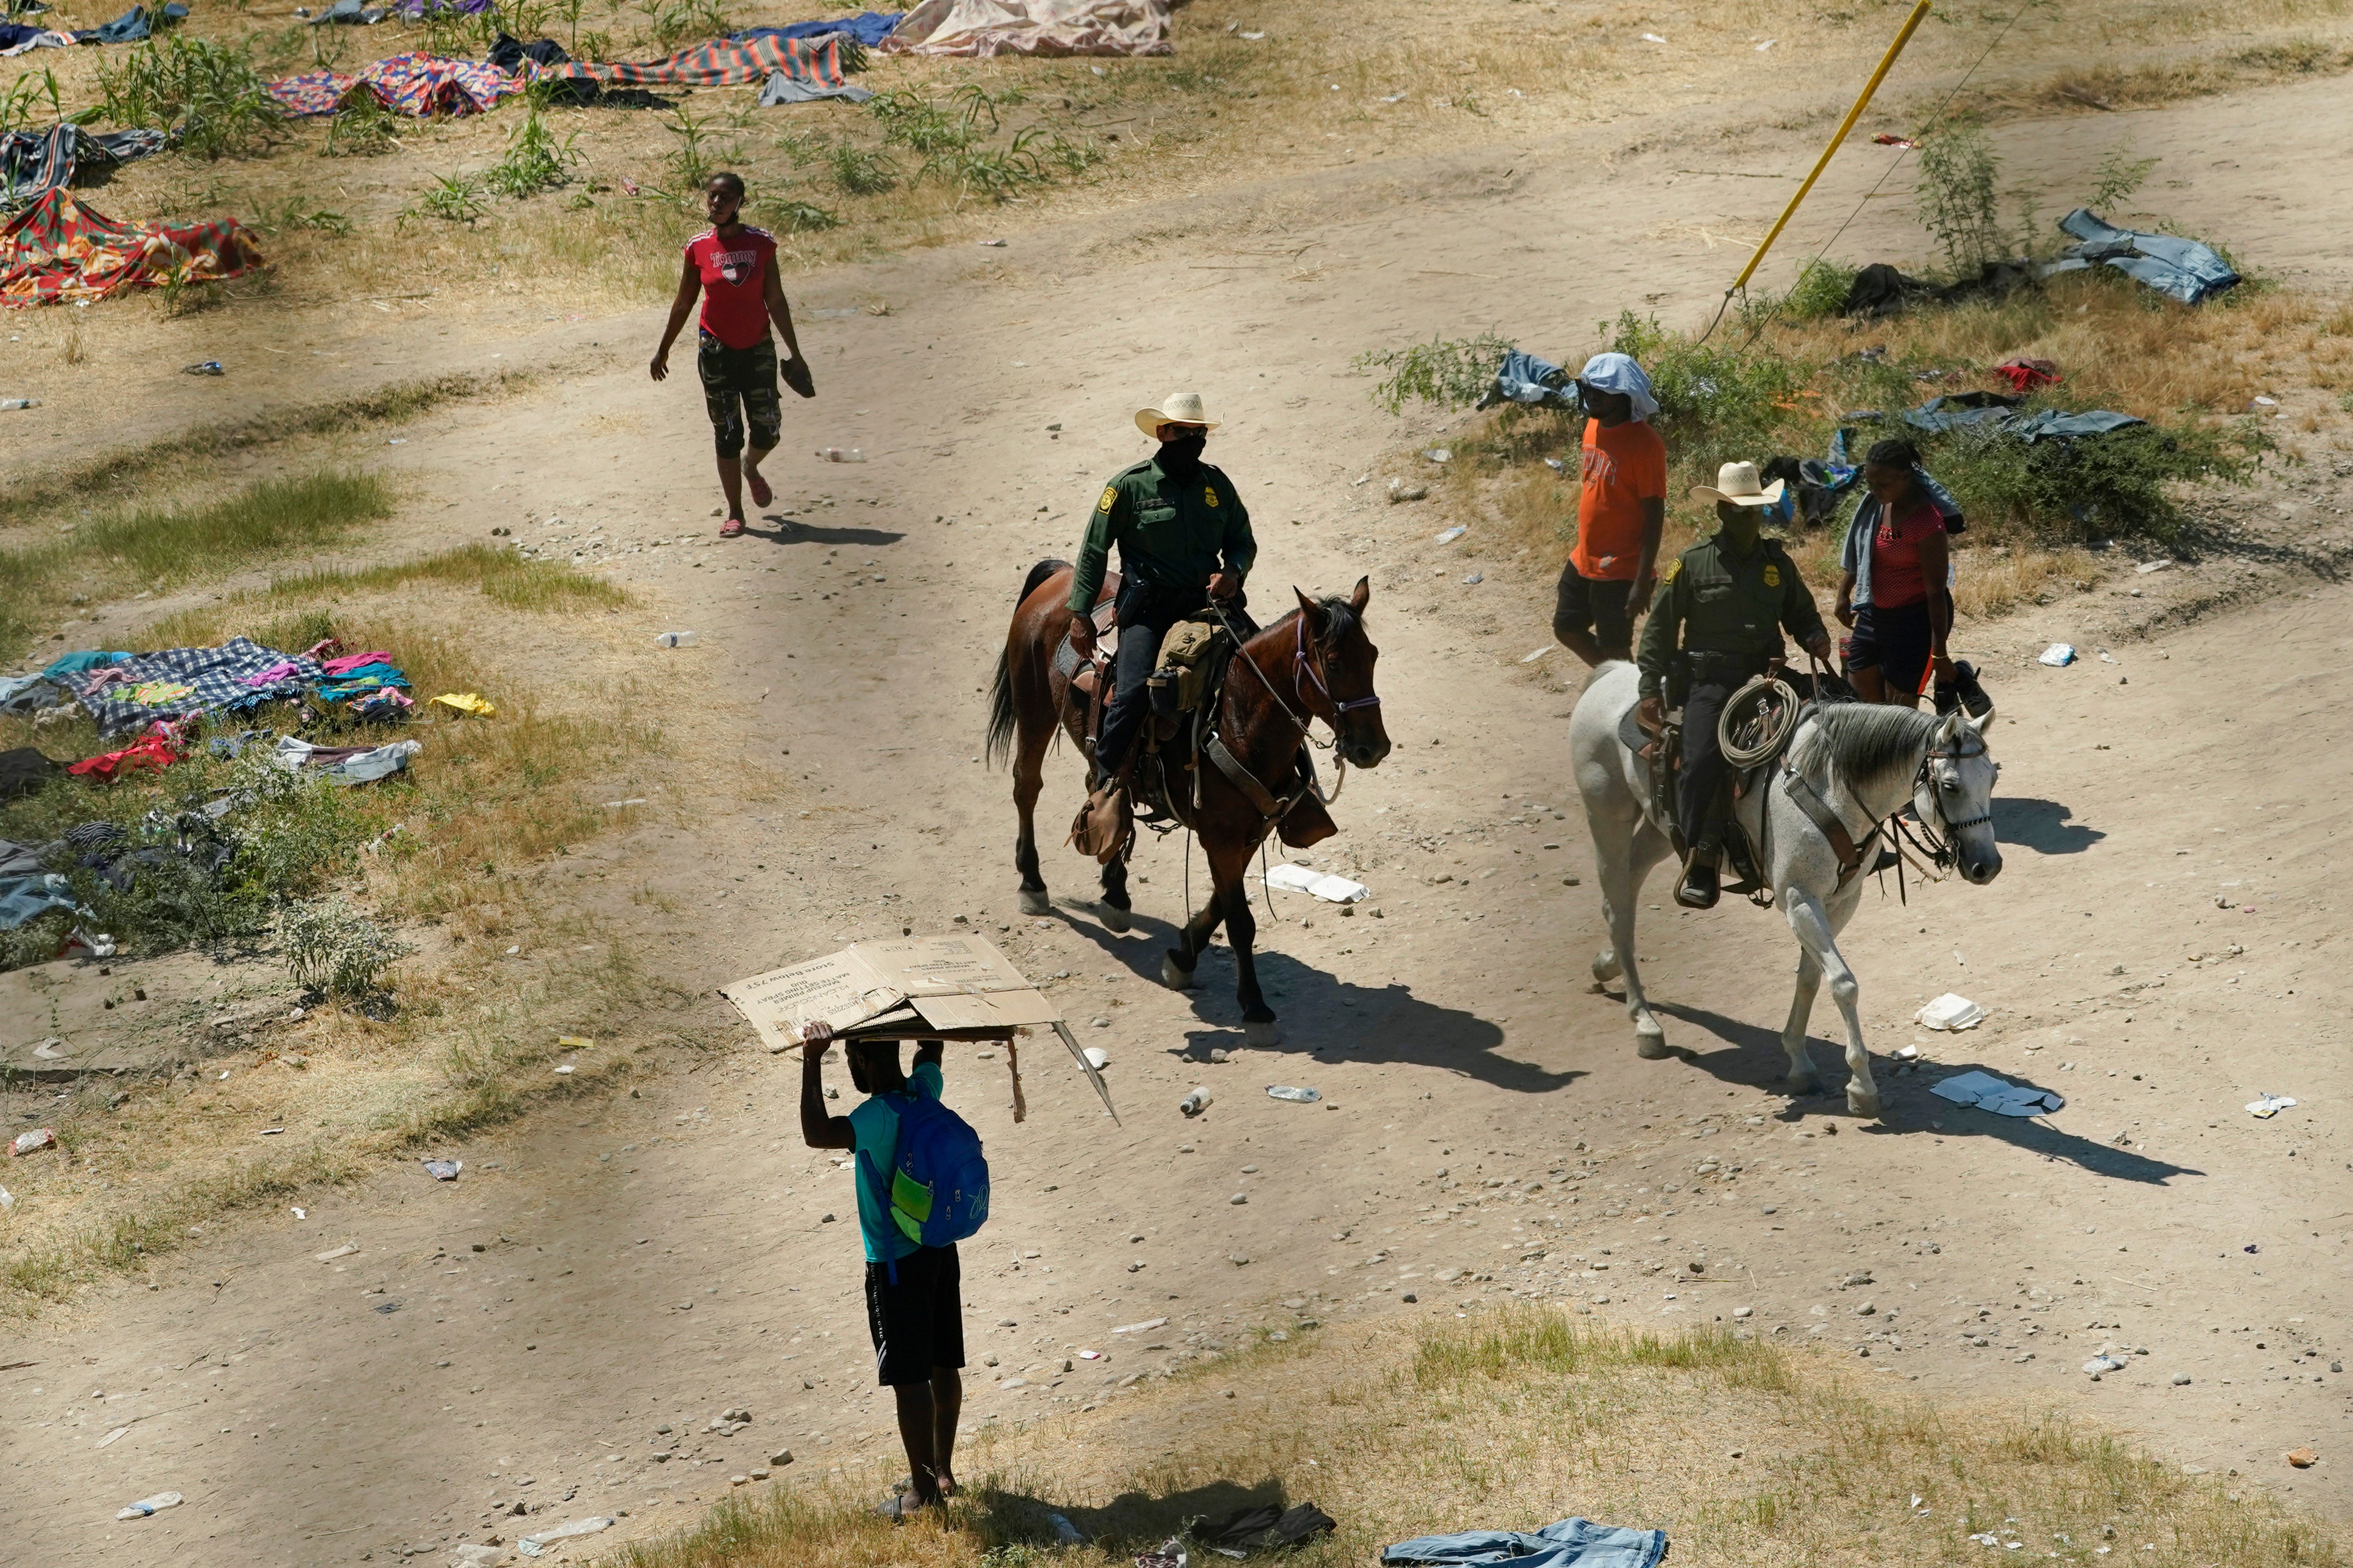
[[1860, 763]]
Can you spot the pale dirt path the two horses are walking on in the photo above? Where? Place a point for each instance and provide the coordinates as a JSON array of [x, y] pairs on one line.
[[1486, 1130]]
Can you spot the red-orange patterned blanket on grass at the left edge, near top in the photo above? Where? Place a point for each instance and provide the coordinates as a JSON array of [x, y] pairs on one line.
[[62, 250]]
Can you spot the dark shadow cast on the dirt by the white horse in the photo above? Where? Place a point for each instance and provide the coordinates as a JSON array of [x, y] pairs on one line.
[[1754, 1059]]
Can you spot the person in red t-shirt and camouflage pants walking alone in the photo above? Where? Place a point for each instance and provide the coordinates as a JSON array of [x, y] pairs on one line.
[[735, 269]]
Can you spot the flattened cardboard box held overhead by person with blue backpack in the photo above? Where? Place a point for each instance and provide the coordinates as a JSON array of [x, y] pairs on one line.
[[905, 984]]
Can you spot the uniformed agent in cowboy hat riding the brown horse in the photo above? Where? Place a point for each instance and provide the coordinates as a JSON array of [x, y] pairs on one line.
[[1185, 542]]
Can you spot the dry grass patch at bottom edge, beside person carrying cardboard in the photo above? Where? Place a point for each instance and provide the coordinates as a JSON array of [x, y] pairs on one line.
[[1512, 1419]]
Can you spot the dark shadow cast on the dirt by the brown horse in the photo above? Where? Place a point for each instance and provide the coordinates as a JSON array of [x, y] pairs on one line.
[[1326, 1019]]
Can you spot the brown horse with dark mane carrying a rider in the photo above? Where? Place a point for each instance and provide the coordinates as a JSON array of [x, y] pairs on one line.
[[1312, 664]]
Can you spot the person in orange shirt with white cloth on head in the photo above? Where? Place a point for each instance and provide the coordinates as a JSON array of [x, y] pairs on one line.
[[1620, 514]]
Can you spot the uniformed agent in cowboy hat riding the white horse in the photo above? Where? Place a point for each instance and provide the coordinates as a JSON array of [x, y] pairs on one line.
[[1717, 624]]
